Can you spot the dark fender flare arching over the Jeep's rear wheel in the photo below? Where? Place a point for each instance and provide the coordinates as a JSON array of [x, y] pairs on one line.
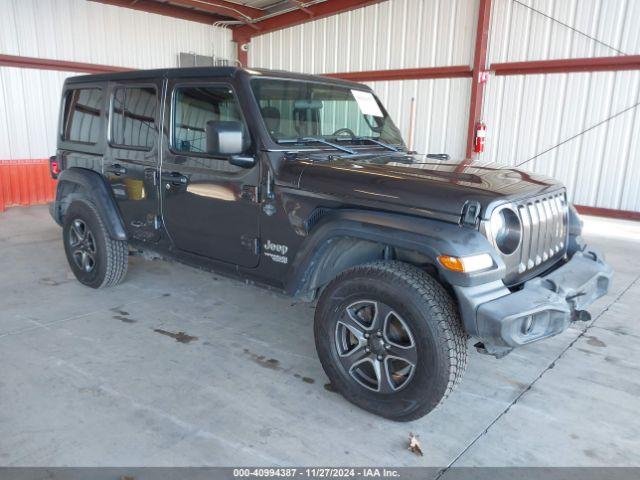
[[94, 188]]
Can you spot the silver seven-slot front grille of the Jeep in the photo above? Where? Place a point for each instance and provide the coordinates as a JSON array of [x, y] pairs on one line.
[[544, 230]]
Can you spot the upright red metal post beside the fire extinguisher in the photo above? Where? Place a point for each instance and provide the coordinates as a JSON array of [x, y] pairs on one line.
[[479, 66]]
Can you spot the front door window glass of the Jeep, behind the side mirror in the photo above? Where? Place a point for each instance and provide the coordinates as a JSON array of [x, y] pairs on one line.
[[194, 107]]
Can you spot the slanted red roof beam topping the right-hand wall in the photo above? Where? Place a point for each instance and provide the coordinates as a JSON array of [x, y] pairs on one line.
[[296, 17]]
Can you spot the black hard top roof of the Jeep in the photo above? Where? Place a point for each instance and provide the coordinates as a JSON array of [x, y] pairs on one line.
[[195, 72]]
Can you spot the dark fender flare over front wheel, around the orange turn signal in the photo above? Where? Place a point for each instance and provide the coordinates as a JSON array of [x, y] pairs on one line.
[[430, 238]]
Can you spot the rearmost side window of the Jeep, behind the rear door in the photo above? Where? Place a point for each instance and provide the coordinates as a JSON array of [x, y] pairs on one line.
[[82, 110]]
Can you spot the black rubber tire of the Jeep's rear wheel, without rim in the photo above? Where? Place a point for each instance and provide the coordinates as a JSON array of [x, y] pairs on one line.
[[111, 256]]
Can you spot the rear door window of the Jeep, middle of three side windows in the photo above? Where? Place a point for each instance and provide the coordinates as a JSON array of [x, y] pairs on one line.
[[133, 117]]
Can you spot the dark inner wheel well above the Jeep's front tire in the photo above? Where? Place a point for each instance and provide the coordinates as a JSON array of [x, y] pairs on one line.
[[342, 253]]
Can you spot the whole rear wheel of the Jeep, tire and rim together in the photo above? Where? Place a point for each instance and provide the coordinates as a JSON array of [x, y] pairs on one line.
[[94, 257]]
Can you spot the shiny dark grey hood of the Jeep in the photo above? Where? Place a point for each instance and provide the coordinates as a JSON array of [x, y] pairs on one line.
[[436, 188]]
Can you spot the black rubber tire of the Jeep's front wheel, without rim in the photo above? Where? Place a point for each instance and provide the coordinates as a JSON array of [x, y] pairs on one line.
[[431, 315]]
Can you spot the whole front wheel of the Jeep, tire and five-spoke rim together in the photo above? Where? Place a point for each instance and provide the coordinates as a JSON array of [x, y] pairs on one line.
[[390, 339]]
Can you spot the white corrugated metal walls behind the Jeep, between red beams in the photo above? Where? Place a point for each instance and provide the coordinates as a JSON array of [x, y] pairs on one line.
[[525, 114]]
